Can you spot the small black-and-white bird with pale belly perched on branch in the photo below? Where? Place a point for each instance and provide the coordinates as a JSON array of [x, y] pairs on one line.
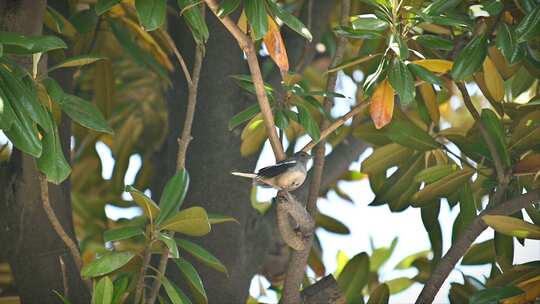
[[288, 174]]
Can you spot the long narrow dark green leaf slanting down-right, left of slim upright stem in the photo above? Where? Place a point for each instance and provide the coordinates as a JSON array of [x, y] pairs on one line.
[[142, 57]]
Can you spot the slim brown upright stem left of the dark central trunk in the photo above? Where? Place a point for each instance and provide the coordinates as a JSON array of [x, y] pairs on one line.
[[183, 143]]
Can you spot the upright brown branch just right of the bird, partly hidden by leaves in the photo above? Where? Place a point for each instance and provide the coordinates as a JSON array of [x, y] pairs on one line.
[[298, 261]]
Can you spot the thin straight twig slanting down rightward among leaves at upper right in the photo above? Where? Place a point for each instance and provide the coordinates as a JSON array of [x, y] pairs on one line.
[[499, 168]]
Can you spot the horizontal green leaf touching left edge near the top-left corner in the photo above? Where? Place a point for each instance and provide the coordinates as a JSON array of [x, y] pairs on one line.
[[14, 43]]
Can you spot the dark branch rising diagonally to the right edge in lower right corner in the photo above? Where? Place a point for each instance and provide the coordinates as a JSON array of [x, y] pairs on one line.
[[464, 242]]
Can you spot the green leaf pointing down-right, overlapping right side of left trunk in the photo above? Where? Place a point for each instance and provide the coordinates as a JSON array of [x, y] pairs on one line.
[[84, 113]]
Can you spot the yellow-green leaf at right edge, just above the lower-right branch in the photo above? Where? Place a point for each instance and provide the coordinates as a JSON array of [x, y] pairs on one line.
[[512, 226]]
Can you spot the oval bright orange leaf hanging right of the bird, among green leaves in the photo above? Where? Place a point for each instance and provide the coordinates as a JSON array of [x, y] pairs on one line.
[[382, 104]]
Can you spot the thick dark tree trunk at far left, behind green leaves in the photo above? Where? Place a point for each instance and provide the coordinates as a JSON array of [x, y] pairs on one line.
[[34, 251]]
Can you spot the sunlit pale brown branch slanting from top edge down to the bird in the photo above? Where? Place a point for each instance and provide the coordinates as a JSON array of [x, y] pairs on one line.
[[246, 44]]
